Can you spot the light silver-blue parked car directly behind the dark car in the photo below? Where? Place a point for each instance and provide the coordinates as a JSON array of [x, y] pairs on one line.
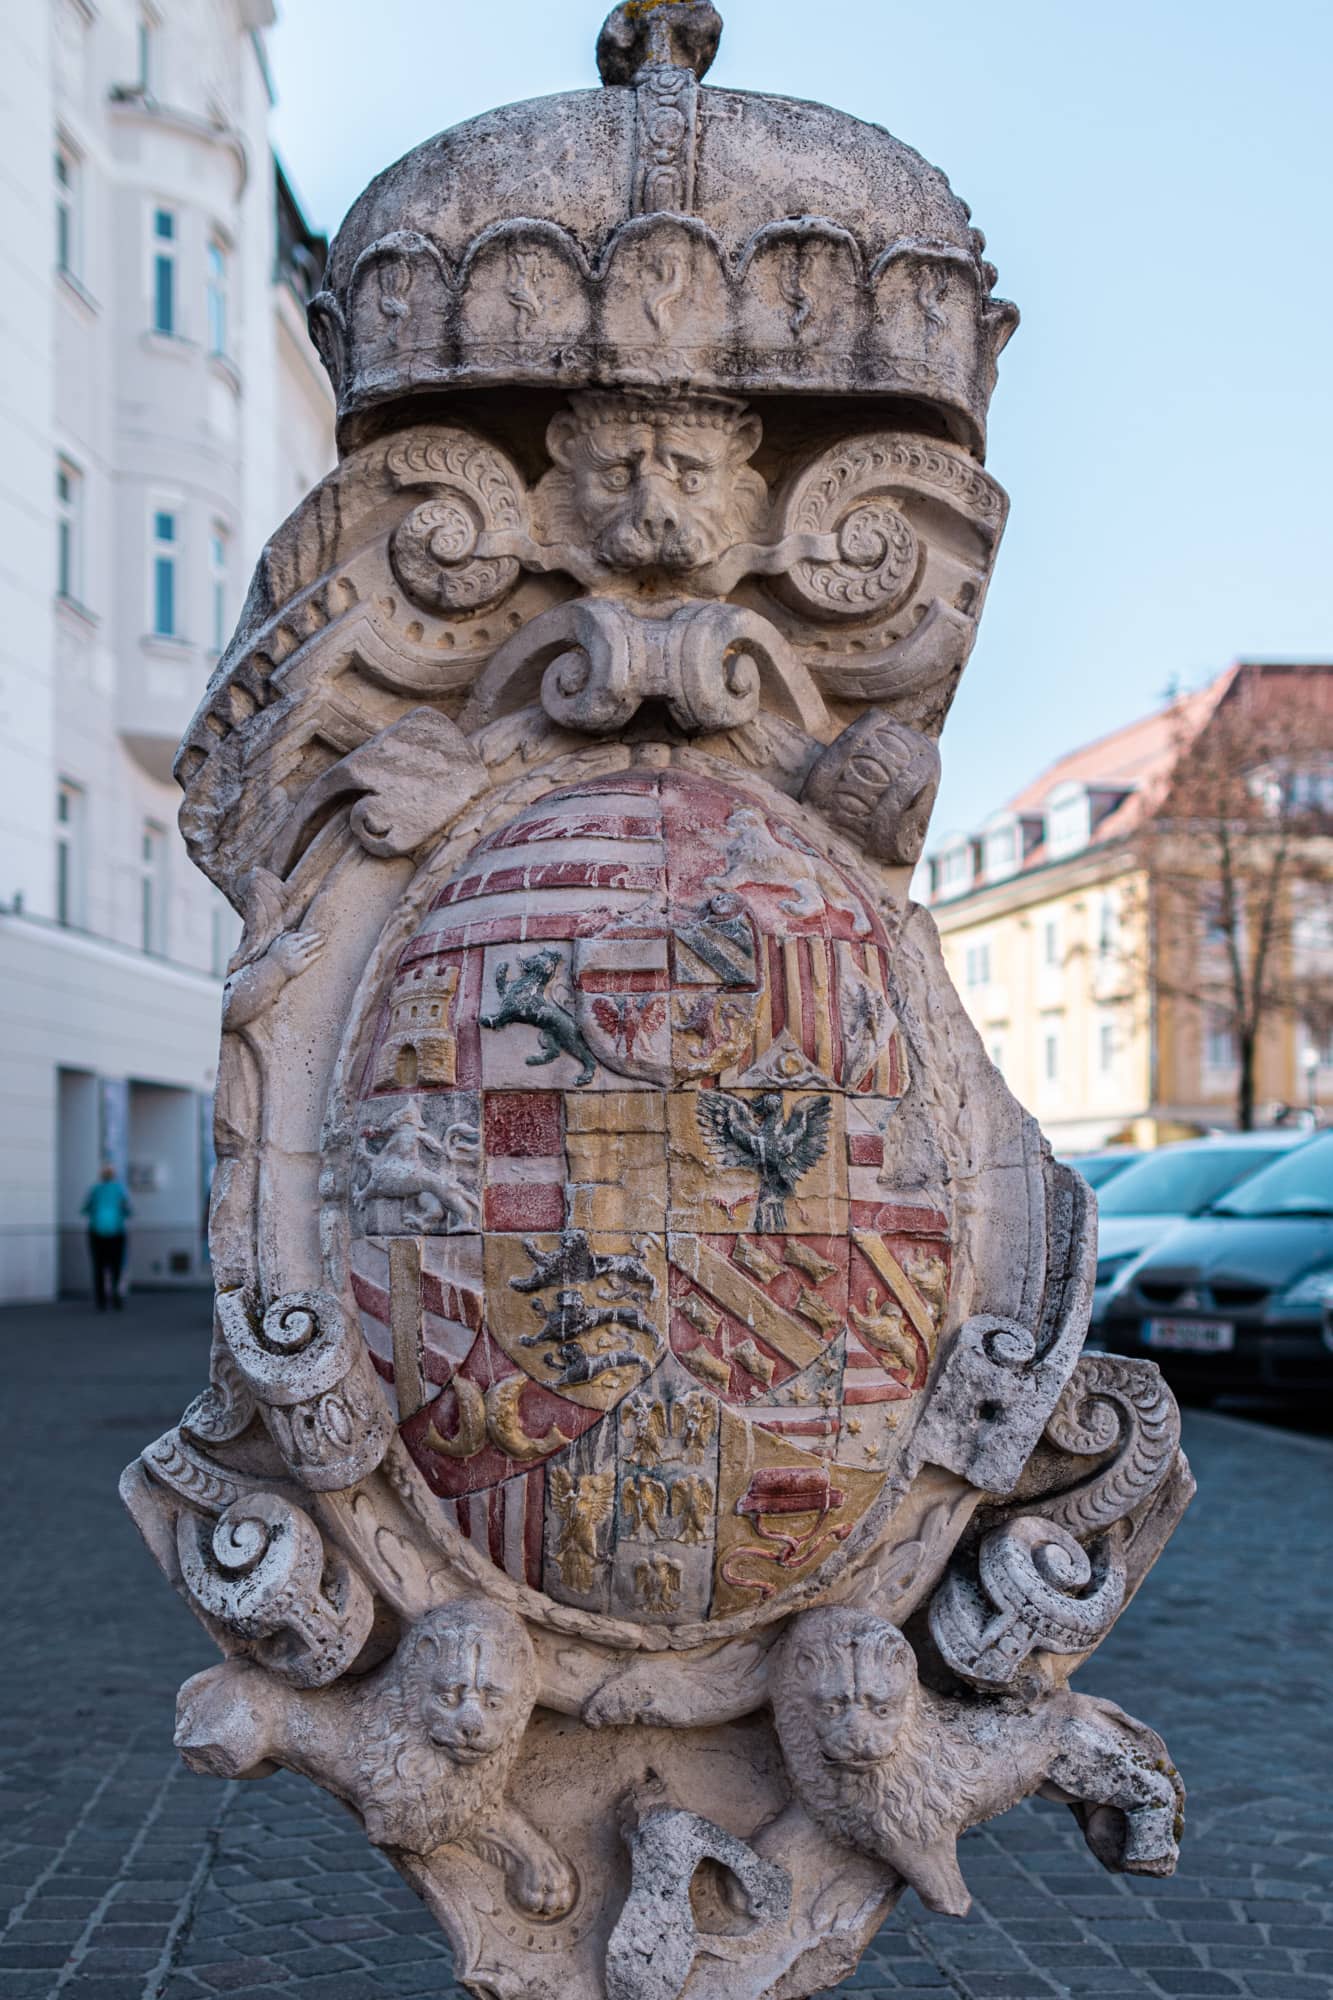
[[1168, 1187]]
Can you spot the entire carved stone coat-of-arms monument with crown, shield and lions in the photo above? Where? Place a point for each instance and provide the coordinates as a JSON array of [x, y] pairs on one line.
[[647, 1471]]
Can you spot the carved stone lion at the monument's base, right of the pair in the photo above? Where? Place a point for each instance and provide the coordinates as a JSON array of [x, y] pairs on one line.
[[896, 1771]]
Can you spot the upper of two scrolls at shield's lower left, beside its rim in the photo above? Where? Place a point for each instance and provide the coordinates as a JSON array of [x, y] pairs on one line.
[[321, 1399]]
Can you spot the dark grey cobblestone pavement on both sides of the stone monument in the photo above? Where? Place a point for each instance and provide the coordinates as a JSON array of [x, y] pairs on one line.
[[127, 1879]]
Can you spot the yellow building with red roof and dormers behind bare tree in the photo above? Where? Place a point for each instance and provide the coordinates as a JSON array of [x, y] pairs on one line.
[[1080, 983]]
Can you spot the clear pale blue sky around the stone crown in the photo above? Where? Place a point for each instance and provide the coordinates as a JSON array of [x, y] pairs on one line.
[[1156, 187]]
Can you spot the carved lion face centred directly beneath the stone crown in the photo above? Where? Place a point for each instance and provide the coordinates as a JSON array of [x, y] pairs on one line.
[[655, 485]]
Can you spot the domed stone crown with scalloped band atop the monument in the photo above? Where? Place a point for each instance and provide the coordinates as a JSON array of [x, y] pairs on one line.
[[659, 233]]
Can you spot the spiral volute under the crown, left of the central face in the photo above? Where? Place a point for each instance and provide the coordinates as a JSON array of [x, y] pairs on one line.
[[437, 551]]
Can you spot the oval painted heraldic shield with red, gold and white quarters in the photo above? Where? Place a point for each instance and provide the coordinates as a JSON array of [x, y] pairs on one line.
[[627, 1241]]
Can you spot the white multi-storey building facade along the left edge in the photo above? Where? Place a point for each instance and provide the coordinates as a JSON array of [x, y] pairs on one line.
[[161, 411]]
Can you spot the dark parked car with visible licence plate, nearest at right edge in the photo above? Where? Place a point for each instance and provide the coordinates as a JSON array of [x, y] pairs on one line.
[[1238, 1299]]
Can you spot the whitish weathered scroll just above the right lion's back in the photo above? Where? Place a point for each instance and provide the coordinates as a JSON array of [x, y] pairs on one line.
[[1036, 1589]]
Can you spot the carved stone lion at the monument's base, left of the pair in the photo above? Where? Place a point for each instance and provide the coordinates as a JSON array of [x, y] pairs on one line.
[[423, 1749]]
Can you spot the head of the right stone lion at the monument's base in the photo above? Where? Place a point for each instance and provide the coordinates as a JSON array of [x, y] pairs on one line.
[[854, 1683]]
